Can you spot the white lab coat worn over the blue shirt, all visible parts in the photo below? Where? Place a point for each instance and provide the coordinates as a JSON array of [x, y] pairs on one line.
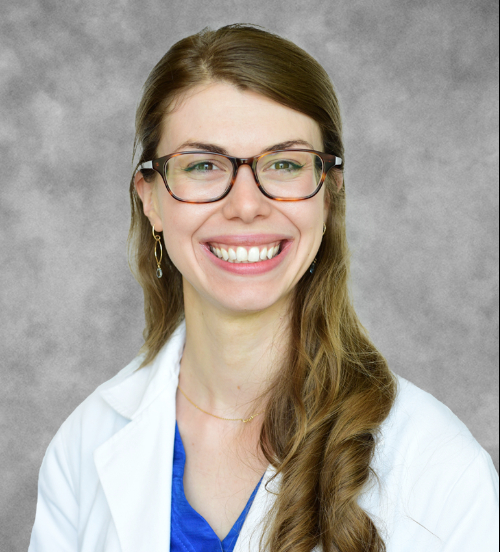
[[105, 481]]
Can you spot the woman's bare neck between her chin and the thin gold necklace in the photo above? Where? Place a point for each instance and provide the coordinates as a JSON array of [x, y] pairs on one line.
[[230, 360]]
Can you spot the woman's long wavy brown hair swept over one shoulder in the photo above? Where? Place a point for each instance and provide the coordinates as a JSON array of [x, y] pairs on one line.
[[335, 388]]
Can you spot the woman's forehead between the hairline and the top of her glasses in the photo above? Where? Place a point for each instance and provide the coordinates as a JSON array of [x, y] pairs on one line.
[[242, 122]]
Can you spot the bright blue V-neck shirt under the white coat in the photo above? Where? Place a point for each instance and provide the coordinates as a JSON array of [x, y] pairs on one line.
[[190, 532]]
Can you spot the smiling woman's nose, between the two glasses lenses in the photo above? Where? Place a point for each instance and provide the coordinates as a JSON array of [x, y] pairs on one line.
[[245, 201]]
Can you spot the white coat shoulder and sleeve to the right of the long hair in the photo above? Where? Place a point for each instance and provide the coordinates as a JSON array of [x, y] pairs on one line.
[[433, 475]]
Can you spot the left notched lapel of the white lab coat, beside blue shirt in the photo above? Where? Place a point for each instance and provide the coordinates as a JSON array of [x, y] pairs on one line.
[[135, 465]]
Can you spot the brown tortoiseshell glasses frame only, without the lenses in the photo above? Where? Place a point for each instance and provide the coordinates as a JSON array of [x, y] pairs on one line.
[[159, 165]]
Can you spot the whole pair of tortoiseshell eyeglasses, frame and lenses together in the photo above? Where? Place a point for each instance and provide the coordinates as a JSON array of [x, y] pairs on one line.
[[205, 177]]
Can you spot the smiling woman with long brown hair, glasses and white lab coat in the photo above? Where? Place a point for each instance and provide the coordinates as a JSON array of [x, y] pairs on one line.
[[259, 416]]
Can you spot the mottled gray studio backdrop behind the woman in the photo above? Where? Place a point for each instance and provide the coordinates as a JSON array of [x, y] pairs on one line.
[[419, 90]]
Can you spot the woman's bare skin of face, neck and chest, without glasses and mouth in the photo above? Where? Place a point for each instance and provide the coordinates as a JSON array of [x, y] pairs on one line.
[[236, 325]]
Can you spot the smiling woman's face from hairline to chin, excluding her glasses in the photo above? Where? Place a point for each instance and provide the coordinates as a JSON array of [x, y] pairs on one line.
[[243, 124]]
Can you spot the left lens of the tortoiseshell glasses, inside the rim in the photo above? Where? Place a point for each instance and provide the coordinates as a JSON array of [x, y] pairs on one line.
[[198, 176]]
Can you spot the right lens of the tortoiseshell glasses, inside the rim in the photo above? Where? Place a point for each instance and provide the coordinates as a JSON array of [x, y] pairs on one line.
[[290, 174]]
